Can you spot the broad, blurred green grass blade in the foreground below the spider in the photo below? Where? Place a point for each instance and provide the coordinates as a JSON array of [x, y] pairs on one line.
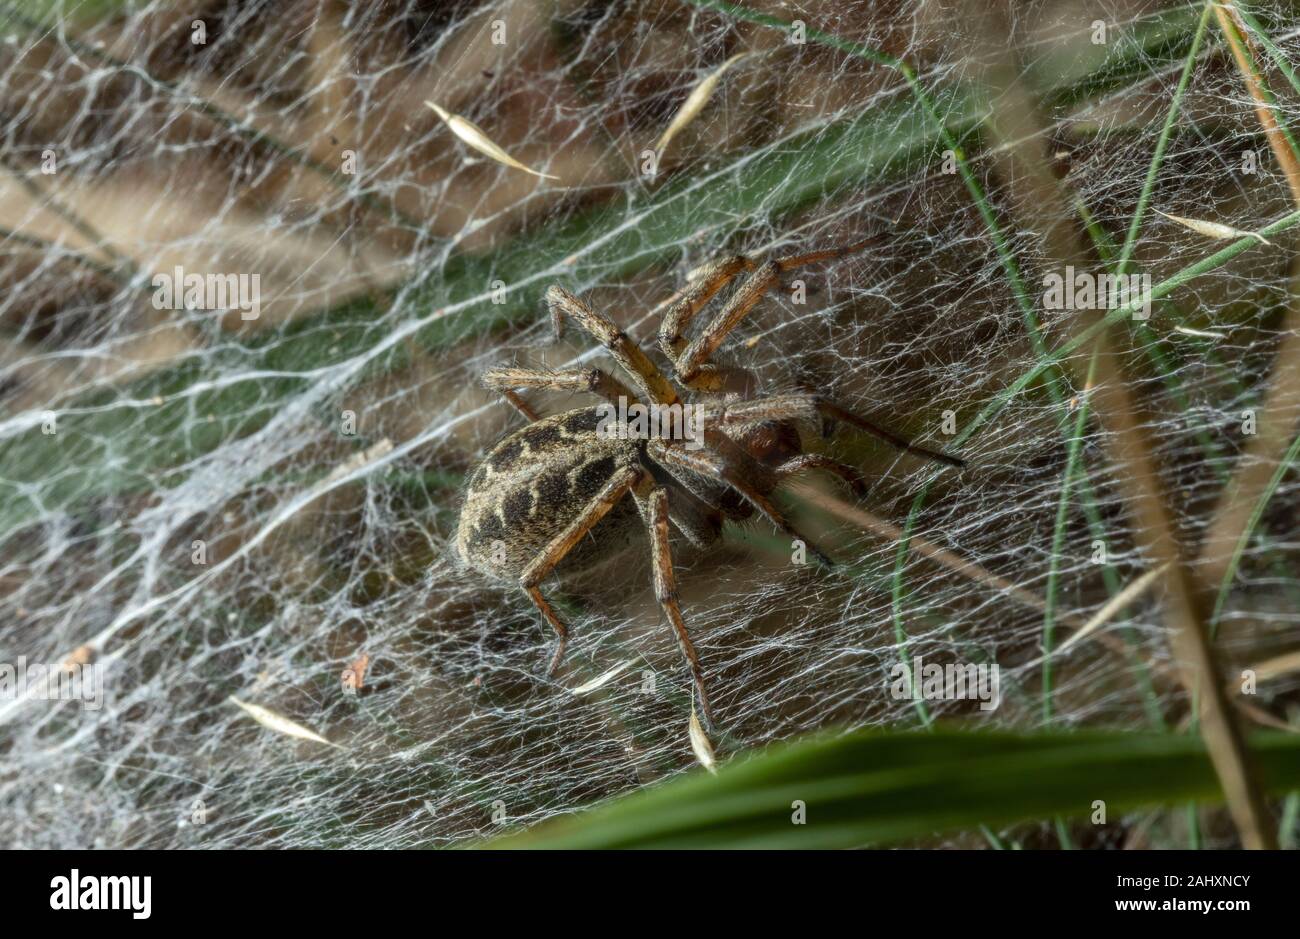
[[874, 787]]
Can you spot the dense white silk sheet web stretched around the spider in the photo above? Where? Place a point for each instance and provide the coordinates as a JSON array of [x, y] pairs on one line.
[[214, 508]]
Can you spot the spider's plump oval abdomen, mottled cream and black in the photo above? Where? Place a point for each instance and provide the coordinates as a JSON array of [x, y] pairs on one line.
[[534, 484]]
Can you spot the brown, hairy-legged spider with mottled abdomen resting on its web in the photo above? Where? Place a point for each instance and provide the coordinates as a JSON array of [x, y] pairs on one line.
[[541, 492]]
